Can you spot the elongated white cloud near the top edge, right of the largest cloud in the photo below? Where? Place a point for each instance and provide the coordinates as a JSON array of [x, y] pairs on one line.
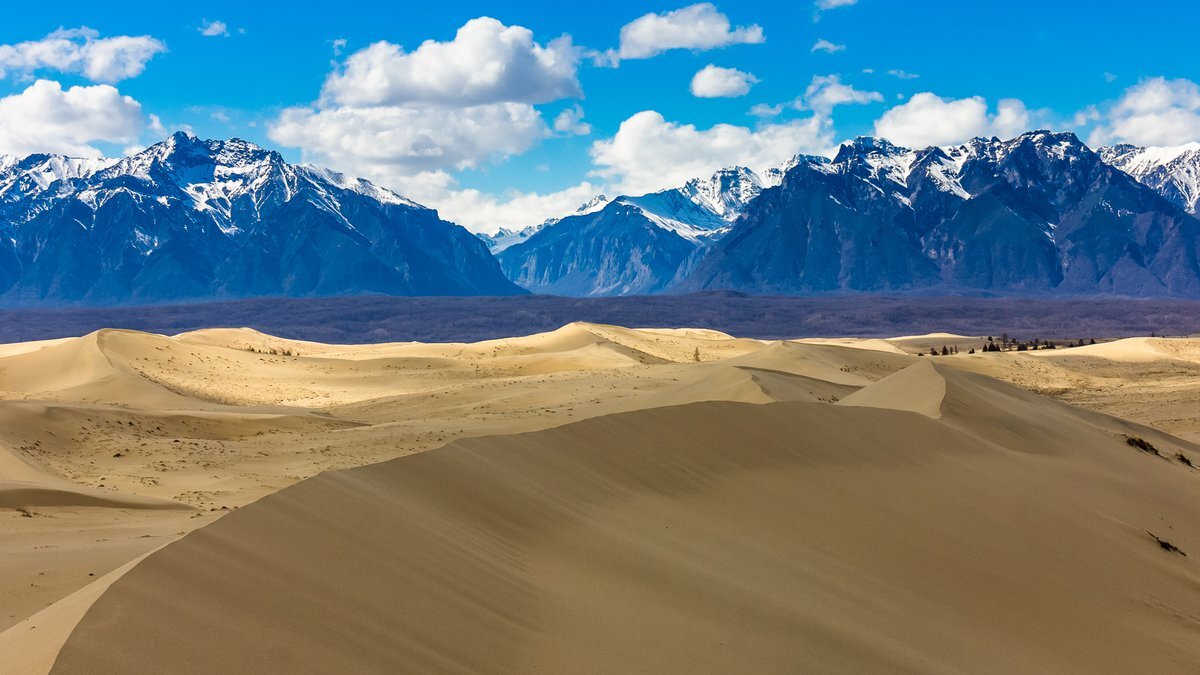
[[697, 27]]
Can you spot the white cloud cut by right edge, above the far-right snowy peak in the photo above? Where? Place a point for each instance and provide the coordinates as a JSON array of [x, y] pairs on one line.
[[1154, 112]]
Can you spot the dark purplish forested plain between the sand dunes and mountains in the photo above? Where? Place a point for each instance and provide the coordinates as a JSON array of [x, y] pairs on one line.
[[388, 319]]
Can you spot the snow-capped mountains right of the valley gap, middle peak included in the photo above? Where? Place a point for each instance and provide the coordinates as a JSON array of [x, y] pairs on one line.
[[1039, 214]]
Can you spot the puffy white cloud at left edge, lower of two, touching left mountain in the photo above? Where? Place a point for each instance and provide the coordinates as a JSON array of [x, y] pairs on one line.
[[45, 118]]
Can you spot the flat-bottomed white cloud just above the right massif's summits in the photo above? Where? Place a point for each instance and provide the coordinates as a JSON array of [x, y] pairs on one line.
[[928, 120]]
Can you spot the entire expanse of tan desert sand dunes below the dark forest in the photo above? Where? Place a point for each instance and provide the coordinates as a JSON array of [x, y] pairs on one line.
[[597, 499]]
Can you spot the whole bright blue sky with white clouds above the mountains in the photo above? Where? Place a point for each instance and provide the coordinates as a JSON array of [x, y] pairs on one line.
[[509, 114]]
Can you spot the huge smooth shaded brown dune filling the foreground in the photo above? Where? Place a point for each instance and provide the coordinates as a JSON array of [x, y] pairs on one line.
[[1009, 536]]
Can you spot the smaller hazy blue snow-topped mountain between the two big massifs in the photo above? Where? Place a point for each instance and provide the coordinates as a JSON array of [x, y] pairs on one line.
[[632, 246]]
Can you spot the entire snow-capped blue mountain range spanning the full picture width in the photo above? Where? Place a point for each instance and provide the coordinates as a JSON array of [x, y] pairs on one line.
[[188, 219]]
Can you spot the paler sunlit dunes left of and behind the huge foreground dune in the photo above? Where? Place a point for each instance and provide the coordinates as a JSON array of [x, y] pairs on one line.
[[214, 420]]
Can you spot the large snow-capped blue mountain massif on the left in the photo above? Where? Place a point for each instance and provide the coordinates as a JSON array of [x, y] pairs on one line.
[[195, 219]]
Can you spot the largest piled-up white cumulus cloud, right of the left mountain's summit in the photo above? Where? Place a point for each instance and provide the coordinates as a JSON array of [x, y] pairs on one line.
[[409, 120]]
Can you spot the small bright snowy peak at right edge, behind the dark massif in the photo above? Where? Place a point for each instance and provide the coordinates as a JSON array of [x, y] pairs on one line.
[[1172, 172]]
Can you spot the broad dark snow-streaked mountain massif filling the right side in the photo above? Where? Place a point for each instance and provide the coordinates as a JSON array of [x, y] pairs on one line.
[[1036, 214]]
